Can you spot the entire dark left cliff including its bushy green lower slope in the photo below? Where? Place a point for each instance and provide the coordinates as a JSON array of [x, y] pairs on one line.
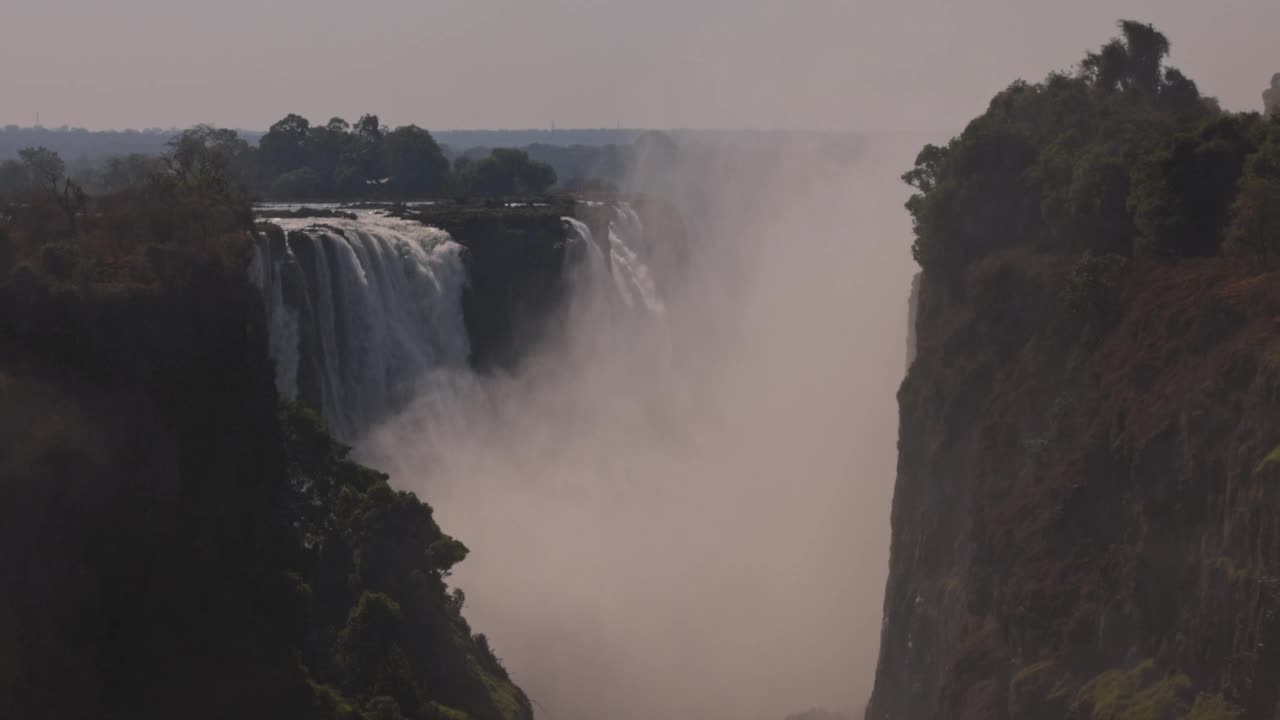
[[176, 545]]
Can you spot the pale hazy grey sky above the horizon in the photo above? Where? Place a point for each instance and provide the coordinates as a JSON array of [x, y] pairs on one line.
[[839, 65]]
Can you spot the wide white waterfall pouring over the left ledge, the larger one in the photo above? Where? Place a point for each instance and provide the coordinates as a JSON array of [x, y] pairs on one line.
[[360, 312]]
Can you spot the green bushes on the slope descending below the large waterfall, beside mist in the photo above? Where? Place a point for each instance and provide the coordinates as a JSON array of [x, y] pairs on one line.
[[382, 622]]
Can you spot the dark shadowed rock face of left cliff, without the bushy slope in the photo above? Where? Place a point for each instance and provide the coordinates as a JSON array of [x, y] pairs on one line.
[[140, 471]]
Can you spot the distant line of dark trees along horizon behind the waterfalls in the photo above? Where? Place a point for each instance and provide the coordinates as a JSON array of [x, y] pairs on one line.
[[336, 161]]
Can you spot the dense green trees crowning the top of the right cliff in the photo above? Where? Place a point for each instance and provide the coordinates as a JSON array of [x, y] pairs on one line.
[[1122, 157]]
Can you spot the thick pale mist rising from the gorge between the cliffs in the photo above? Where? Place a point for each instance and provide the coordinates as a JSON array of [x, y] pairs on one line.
[[680, 508]]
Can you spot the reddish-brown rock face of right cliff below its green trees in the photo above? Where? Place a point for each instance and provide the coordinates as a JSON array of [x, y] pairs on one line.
[[1085, 520]]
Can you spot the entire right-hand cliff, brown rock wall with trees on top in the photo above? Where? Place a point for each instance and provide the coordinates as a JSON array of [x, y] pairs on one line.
[[1084, 520]]
